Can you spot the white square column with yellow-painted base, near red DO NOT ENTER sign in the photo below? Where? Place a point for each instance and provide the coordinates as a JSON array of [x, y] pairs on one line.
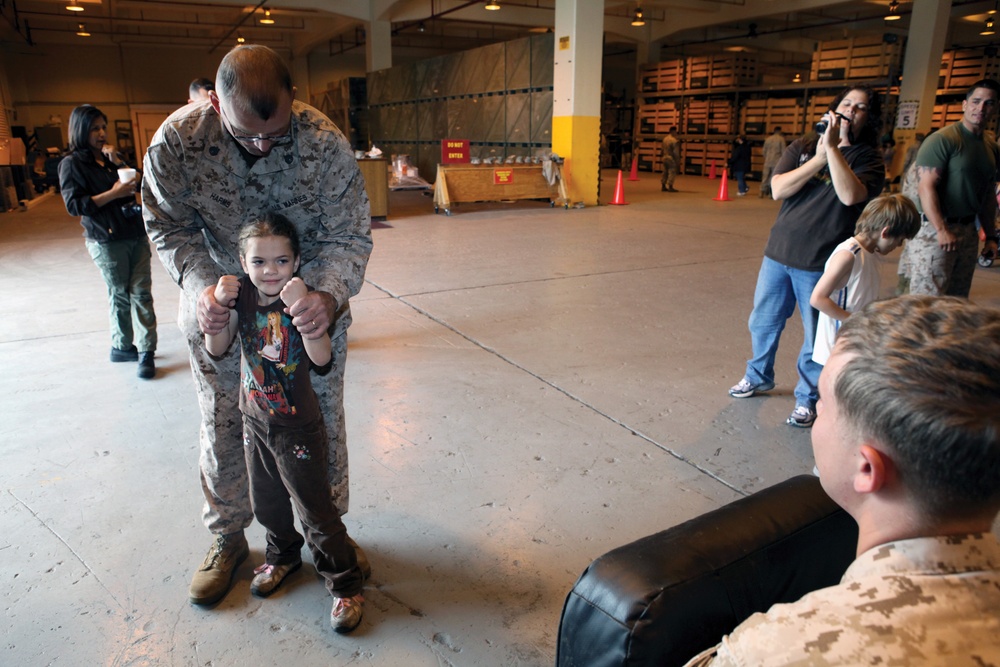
[[576, 97]]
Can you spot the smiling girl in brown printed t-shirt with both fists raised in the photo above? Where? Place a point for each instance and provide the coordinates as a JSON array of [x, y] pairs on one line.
[[283, 429]]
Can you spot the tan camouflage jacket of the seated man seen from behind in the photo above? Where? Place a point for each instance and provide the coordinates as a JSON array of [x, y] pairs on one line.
[[925, 601]]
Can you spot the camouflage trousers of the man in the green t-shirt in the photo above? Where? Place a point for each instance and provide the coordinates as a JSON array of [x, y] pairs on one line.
[[937, 272]]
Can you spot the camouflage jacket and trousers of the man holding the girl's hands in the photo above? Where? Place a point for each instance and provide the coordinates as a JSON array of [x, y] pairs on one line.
[[198, 191]]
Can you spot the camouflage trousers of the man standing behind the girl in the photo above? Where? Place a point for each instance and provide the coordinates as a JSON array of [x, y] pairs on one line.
[[222, 460]]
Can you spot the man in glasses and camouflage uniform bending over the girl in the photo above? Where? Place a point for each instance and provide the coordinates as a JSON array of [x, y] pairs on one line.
[[212, 168]]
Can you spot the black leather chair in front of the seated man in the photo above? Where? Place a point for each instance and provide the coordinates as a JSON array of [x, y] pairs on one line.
[[666, 597]]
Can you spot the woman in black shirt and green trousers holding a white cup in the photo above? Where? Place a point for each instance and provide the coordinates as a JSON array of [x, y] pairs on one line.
[[114, 233]]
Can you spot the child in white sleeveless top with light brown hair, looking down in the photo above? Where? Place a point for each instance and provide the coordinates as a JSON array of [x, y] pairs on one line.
[[850, 279]]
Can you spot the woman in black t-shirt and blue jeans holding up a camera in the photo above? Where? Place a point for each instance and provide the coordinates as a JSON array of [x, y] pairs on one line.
[[823, 180]]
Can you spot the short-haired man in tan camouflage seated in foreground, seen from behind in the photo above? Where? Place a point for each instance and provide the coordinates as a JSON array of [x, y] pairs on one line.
[[905, 442]]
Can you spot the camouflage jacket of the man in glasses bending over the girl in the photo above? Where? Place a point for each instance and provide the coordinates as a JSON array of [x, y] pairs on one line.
[[198, 191]]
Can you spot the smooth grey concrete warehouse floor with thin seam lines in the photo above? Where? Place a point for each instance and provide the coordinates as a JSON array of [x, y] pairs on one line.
[[527, 389]]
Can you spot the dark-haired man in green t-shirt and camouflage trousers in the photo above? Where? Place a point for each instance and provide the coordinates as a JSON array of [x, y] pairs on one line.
[[956, 176]]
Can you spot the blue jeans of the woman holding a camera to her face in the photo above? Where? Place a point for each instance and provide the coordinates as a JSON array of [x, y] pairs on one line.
[[779, 289]]
